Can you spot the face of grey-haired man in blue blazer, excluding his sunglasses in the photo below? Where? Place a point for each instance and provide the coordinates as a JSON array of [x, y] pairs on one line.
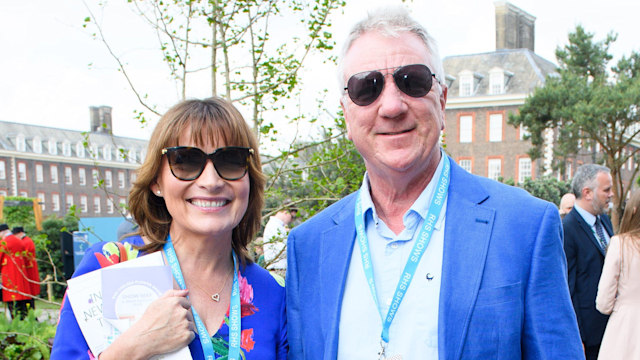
[[396, 133]]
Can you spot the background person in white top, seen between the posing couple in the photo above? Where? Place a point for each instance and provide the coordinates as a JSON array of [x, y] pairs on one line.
[[274, 235]]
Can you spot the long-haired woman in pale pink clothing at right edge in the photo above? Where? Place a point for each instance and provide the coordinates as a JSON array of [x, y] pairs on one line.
[[619, 288]]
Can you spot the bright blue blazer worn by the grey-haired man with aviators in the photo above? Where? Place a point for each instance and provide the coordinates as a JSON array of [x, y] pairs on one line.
[[504, 291]]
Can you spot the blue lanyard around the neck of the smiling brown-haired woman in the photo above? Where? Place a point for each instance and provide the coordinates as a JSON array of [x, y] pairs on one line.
[[234, 309]]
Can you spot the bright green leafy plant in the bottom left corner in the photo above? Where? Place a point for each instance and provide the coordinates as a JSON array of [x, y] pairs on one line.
[[25, 339]]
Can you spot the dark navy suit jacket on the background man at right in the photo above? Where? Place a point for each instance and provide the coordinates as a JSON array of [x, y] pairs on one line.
[[585, 259]]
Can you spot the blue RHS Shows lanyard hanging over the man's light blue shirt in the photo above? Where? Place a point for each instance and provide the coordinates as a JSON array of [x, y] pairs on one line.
[[437, 202]]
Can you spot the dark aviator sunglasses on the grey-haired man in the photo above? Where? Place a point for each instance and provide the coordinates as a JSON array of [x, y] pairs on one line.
[[414, 80]]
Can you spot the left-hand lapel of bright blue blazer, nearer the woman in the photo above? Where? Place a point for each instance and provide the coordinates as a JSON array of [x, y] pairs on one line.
[[336, 249]]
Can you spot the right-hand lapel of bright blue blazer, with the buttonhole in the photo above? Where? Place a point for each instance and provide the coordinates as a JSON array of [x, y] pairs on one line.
[[466, 241]]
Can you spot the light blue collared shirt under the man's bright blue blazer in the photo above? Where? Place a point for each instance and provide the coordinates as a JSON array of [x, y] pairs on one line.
[[414, 331]]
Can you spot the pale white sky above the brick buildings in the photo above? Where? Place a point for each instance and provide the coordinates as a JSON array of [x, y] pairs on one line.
[[52, 70]]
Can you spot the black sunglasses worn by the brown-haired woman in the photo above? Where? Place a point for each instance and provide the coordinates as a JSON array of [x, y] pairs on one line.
[[187, 163]]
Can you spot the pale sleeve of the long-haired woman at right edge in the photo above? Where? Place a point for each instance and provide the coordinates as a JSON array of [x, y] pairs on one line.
[[608, 286]]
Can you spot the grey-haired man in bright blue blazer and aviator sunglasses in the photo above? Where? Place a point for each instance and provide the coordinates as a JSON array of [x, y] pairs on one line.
[[458, 266]]
